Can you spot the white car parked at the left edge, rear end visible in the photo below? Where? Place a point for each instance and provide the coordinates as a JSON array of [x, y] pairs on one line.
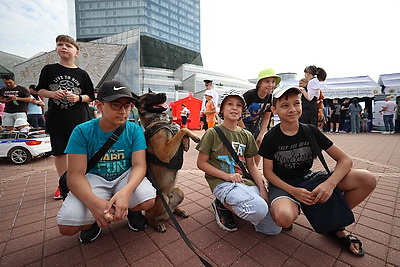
[[22, 147]]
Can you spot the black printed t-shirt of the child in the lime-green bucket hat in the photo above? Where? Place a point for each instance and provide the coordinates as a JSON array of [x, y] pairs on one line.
[[254, 104]]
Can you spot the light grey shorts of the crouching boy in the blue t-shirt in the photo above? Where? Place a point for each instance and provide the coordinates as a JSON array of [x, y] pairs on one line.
[[74, 213]]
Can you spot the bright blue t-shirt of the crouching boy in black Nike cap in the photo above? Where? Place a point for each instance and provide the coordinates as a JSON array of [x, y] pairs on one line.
[[88, 138]]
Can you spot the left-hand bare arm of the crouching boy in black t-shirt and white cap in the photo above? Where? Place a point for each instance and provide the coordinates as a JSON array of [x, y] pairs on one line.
[[300, 194]]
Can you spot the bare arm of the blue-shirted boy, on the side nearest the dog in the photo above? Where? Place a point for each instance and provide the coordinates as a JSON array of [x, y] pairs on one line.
[[120, 201]]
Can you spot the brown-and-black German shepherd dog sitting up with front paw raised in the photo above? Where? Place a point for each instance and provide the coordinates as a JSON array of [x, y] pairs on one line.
[[165, 146]]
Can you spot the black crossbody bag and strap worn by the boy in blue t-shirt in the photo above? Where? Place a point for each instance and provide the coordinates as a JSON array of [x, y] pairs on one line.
[[62, 181]]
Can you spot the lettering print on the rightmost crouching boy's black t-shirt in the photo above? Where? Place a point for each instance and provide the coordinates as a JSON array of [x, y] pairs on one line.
[[292, 156]]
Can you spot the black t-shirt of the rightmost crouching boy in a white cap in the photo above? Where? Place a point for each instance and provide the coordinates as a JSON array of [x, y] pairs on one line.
[[292, 156]]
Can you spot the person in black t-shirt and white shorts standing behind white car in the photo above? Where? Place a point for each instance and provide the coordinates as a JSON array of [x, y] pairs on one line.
[[16, 99]]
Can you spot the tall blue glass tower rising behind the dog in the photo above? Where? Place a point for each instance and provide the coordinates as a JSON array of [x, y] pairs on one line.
[[169, 29]]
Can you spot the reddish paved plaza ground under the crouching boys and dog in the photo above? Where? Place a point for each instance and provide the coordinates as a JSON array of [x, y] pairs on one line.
[[29, 235]]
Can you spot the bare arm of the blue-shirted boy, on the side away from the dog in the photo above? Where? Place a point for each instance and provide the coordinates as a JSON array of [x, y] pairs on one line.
[[80, 187]]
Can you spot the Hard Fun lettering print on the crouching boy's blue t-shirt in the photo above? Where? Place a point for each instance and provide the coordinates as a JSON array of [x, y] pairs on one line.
[[112, 165]]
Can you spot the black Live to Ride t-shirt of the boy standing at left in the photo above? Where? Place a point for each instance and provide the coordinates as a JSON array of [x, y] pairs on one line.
[[63, 116]]
